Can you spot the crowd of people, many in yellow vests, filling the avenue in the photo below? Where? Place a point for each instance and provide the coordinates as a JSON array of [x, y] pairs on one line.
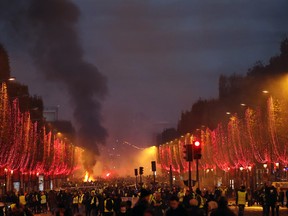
[[123, 200]]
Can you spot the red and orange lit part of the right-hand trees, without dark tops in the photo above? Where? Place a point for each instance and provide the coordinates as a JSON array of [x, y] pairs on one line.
[[259, 136]]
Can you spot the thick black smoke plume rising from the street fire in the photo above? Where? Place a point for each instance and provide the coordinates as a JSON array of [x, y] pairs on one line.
[[50, 27]]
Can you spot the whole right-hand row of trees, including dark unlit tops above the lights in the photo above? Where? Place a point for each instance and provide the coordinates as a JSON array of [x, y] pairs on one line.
[[246, 125]]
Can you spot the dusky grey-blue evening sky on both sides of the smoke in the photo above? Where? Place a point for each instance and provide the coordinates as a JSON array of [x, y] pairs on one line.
[[161, 56]]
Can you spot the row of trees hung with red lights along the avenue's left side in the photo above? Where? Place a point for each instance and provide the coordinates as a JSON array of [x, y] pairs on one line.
[[30, 146]]
